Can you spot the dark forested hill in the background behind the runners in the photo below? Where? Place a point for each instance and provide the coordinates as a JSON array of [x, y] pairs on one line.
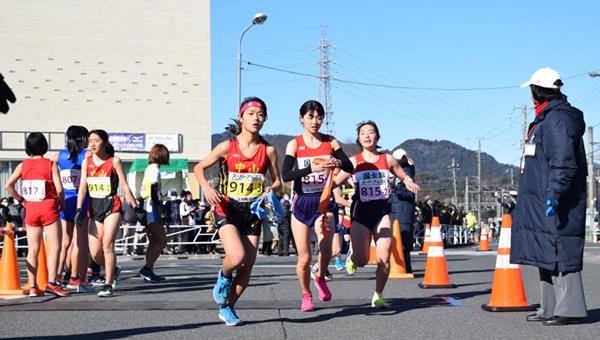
[[431, 158]]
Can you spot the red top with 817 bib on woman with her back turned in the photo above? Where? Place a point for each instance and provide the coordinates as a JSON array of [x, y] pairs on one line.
[[36, 180]]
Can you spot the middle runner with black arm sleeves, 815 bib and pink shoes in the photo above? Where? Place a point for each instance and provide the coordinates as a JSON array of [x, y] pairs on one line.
[[310, 179]]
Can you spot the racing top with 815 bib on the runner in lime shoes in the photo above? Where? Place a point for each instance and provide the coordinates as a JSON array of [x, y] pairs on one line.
[[371, 179]]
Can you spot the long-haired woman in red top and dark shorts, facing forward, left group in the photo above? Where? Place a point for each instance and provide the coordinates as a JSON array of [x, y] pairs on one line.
[[101, 179]]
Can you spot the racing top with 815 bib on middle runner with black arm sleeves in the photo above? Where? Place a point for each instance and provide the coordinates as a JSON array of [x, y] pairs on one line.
[[313, 183]]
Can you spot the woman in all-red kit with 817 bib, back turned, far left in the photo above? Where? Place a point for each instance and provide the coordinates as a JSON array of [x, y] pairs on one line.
[[42, 192]]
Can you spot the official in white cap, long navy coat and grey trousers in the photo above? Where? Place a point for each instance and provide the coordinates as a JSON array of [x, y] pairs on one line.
[[548, 229]]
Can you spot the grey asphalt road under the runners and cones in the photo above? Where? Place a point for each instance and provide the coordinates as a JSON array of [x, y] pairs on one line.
[[183, 307]]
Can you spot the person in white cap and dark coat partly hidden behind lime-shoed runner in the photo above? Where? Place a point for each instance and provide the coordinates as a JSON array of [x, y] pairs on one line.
[[403, 205]]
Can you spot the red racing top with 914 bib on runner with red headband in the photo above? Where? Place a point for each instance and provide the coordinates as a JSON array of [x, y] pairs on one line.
[[242, 178]]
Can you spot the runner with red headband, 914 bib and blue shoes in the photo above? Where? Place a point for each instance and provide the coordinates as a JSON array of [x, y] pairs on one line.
[[244, 161]]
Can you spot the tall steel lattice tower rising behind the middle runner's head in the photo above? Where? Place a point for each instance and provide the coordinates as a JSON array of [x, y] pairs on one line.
[[325, 81]]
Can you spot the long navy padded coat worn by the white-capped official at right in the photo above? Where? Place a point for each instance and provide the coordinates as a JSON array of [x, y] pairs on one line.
[[557, 170]]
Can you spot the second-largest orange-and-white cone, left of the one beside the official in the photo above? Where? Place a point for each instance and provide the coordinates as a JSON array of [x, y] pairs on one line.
[[436, 270]]
